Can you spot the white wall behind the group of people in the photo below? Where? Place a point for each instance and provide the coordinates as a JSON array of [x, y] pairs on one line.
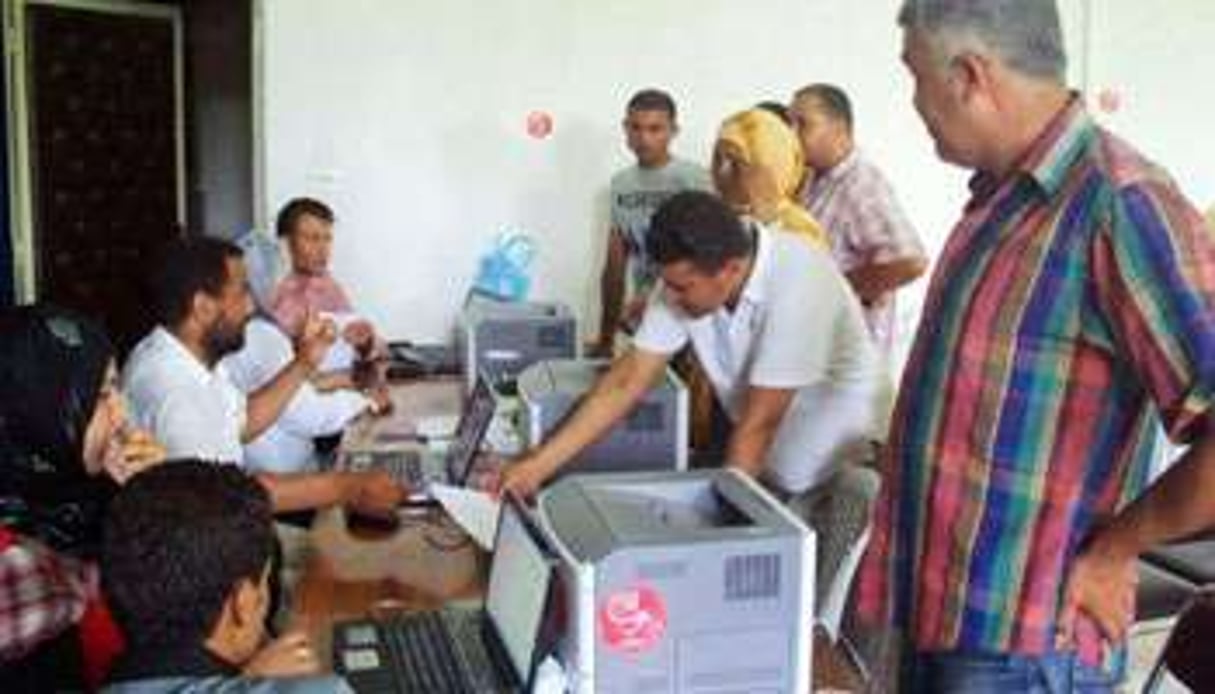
[[410, 119]]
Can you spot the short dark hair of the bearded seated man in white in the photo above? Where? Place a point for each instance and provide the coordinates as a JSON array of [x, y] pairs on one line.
[[189, 267]]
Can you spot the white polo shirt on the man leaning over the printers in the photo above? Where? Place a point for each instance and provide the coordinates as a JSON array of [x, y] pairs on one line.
[[796, 326]]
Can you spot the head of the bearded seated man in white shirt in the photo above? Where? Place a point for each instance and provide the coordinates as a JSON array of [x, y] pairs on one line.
[[204, 295]]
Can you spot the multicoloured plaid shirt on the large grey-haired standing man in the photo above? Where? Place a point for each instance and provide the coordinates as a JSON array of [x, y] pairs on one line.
[[1070, 317]]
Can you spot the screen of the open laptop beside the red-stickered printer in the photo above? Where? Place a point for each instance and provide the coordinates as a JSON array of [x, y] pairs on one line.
[[519, 586]]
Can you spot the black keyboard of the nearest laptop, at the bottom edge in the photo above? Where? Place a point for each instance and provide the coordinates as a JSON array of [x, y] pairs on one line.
[[425, 656]]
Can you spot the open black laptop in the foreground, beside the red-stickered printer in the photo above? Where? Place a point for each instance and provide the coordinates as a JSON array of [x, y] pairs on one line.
[[493, 648]]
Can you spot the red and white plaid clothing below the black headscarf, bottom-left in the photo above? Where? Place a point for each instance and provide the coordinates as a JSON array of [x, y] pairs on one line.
[[42, 594]]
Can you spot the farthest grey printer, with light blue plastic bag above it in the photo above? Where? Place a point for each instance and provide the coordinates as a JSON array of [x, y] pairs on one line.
[[502, 338]]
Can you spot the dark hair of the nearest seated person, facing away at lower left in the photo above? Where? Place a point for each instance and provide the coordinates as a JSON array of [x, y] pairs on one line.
[[178, 539]]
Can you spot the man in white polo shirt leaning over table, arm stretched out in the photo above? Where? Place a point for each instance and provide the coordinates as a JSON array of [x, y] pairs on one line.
[[778, 331]]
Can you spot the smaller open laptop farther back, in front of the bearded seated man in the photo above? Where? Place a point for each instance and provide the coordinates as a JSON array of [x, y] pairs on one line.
[[419, 470]]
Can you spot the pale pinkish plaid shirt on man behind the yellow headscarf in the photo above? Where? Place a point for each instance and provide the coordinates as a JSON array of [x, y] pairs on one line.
[[866, 224]]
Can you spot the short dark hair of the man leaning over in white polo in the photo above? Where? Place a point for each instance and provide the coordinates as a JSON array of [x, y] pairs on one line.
[[698, 228]]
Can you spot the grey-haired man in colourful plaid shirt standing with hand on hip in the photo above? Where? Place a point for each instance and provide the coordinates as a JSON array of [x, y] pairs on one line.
[[1071, 315]]
